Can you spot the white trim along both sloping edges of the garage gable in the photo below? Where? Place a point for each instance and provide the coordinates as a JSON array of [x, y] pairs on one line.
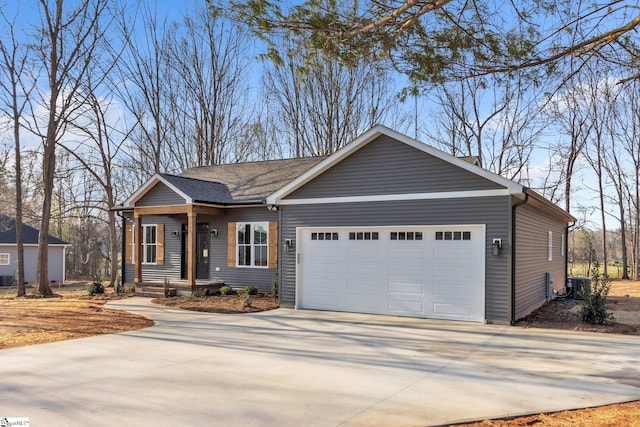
[[376, 131]]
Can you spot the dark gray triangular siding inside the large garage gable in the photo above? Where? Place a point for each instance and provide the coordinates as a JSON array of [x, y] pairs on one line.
[[386, 166]]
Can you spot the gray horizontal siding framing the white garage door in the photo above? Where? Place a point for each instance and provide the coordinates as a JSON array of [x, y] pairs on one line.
[[494, 212]]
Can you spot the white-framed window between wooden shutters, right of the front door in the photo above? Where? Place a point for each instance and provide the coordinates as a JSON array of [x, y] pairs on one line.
[[252, 244]]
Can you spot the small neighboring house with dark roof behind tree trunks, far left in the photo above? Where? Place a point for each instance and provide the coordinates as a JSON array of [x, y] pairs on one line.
[[9, 253]]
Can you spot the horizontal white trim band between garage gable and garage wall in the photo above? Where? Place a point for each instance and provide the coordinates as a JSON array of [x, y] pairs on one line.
[[398, 197]]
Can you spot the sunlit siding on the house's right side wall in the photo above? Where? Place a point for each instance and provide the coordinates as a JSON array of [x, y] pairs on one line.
[[532, 227]]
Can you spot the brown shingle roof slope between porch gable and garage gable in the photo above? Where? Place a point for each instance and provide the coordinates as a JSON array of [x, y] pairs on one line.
[[253, 181]]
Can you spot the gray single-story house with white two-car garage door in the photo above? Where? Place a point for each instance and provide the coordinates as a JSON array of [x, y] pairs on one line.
[[385, 225]]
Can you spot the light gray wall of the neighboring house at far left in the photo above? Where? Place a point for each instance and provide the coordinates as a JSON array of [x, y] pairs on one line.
[[56, 263]]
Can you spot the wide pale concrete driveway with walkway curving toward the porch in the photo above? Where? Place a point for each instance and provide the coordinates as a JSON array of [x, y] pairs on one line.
[[294, 368]]
